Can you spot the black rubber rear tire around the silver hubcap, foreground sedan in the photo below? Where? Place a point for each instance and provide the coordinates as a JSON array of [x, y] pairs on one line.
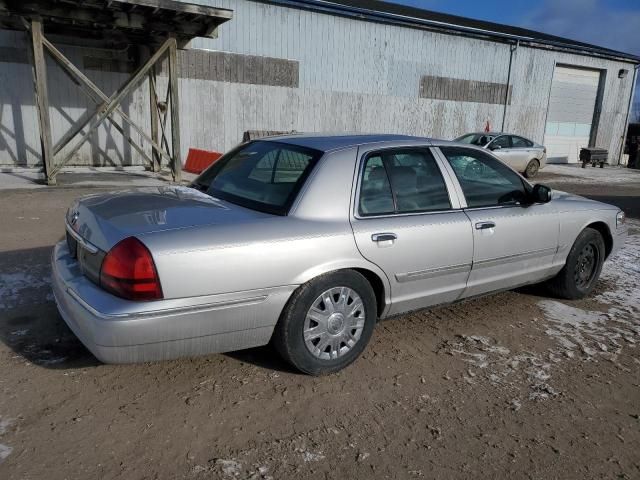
[[288, 336]]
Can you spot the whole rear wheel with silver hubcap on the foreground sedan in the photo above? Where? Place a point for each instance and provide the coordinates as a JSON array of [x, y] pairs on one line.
[[327, 323]]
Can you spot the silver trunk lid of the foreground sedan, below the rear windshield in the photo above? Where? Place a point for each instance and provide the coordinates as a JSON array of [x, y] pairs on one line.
[[105, 219]]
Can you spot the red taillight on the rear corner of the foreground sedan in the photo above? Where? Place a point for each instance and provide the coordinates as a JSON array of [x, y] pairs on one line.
[[129, 272]]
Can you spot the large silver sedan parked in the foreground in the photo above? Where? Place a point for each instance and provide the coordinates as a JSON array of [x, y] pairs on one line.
[[307, 241]]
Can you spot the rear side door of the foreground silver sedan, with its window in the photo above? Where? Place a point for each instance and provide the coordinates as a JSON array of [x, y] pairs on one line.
[[407, 220]]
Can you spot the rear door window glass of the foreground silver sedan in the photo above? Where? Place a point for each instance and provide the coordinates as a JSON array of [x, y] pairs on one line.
[[402, 181]]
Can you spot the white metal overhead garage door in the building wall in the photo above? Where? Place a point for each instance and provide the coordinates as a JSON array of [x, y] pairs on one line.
[[571, 106]]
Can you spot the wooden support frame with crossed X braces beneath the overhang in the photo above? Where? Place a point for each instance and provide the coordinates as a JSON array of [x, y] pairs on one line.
[[107, 107]]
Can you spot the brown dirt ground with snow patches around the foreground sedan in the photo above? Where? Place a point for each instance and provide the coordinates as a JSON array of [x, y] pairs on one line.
[[514, 385]]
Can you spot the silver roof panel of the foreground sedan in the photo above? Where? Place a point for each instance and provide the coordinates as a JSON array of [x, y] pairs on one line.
[[331, 142]]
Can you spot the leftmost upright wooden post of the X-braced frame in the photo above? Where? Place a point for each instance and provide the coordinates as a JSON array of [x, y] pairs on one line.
[[42, 100]]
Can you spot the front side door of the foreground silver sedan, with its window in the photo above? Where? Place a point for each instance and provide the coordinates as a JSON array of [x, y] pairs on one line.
[[514, 243]]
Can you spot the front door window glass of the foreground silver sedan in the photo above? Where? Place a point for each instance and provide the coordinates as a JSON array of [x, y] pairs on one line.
[[485, 181]]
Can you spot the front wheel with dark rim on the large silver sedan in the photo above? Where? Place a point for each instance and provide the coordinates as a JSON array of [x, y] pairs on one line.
[[576, 279]]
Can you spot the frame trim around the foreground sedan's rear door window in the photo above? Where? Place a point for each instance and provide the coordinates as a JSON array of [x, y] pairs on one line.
[[382, 151]]
